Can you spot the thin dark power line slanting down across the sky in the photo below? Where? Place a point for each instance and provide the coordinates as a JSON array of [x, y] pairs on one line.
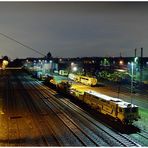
[[26, 46]]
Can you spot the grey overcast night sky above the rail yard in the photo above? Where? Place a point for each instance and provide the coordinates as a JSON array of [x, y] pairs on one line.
[[74, 29]]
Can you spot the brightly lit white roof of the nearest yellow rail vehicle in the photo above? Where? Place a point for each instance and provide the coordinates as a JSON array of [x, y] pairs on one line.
[[118, 101]]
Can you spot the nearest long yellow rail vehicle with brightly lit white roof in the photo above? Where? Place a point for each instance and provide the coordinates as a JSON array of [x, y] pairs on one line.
[[116, 108]]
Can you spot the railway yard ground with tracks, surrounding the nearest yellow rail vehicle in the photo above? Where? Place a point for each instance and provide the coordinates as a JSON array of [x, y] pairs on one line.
[[33, 114]]
